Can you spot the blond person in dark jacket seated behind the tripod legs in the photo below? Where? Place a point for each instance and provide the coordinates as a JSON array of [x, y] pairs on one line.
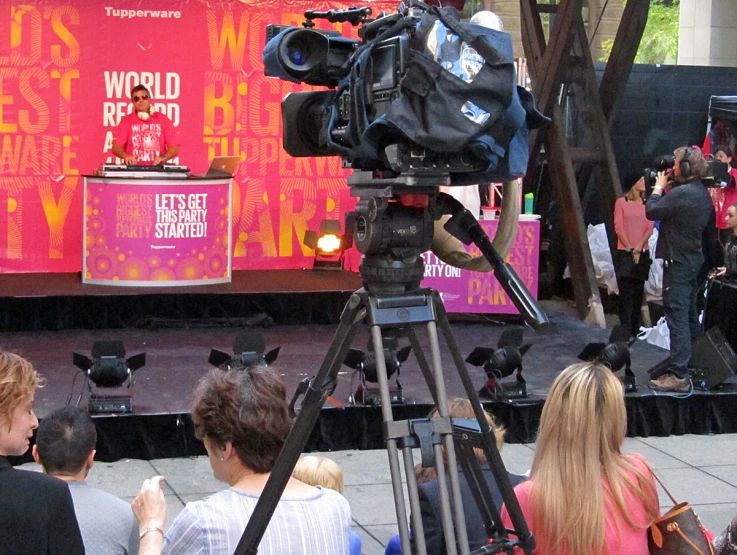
[[430, 494]]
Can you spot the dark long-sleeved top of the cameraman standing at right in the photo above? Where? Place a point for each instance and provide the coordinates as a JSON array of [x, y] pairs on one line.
[[684, 215]]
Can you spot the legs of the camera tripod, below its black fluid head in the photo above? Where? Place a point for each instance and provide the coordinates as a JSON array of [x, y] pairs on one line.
[[406, 311]]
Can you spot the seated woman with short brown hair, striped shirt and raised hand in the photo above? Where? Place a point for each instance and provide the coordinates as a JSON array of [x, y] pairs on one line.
[[242, 417]]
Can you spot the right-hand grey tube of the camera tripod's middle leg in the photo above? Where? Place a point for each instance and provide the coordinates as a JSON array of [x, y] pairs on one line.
[[442, 407]]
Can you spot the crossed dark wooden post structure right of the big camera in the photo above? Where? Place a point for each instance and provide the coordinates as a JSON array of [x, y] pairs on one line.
[[568, 51]]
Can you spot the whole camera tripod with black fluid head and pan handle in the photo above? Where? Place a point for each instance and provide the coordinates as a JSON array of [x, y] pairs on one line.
[[393, 300]]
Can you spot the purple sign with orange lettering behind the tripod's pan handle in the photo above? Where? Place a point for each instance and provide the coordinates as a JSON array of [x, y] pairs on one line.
[[476, 292]]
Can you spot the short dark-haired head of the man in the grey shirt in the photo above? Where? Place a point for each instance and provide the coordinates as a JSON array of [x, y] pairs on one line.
[[65, 442]]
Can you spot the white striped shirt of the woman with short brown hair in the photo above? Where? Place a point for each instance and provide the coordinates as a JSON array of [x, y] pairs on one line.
[[318, 524]]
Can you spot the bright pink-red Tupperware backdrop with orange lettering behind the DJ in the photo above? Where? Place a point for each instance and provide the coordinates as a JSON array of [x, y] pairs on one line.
[[66, 70]]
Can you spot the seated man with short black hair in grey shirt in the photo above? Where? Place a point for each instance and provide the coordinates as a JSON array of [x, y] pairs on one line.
[[65, 448]]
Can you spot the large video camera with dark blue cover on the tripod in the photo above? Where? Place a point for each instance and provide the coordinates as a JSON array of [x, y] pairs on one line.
[[420, 94]]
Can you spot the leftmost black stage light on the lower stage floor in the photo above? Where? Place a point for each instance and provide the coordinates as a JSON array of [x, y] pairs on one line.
[[108, 368]]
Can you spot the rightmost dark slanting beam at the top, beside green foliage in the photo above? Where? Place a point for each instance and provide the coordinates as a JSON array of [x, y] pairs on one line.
[[622, 57]]
